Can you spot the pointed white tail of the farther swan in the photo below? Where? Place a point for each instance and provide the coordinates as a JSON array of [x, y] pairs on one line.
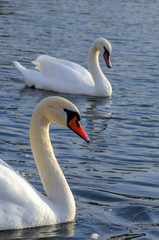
[[29, 76]]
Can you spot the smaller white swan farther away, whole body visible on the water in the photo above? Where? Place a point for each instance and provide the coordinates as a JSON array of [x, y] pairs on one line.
[[68, 77]]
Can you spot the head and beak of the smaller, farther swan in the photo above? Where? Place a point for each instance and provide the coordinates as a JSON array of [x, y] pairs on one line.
[[104, 46]]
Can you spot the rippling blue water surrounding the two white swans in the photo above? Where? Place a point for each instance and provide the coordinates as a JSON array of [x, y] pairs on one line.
[[115, 178]]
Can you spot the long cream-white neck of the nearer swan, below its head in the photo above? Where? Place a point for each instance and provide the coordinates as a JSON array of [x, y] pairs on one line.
[[51, 175]]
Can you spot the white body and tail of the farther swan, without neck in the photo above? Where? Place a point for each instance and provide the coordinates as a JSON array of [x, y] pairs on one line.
[[57, 75]]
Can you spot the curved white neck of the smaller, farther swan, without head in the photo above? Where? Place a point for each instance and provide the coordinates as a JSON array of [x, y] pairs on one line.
[[102, 85]]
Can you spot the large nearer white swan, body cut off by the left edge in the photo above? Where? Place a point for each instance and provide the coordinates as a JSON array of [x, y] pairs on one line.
[[22, 206]]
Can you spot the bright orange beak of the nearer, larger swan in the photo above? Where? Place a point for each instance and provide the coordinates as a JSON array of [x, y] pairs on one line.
[[75, 125]]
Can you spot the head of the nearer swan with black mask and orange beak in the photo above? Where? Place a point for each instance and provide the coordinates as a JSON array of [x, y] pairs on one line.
[[64, 113]]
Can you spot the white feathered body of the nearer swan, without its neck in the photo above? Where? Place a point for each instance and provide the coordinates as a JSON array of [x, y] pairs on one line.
[[21, 205]]
